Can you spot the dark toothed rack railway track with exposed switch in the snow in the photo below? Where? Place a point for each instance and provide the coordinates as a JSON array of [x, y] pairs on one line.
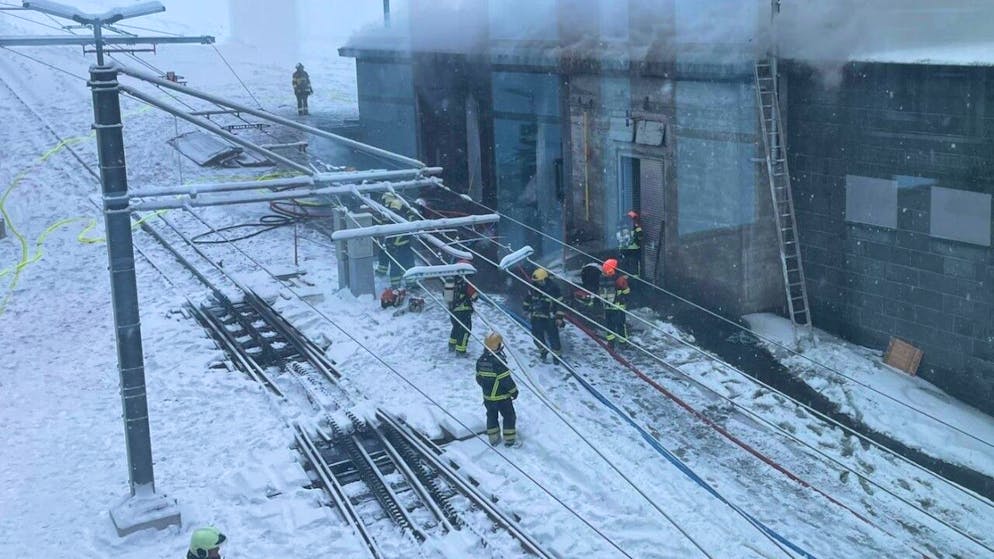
[[383, 478]]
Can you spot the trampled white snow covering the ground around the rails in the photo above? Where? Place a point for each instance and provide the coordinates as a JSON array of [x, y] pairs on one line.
[[586, 483]]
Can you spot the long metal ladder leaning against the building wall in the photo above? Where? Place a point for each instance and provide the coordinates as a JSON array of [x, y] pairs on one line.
[[775, 144]]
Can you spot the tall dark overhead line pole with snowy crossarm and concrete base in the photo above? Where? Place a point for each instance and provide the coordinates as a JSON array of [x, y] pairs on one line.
[[143, 508]]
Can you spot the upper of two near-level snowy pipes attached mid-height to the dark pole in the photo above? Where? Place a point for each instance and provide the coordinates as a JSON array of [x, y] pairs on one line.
[[350, 178]]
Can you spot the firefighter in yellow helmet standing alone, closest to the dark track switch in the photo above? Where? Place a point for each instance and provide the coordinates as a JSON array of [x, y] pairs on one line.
[[499, 390]]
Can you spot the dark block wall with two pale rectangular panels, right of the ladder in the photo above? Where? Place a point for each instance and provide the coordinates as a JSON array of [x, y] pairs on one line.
[[874, 163]]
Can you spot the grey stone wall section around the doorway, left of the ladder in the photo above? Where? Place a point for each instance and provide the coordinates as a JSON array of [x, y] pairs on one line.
[[709, 217]]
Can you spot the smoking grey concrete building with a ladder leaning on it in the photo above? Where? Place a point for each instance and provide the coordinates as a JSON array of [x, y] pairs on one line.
[[566, 119]]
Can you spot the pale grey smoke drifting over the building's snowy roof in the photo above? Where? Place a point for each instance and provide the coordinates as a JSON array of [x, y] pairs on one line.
[[825, 33]]
